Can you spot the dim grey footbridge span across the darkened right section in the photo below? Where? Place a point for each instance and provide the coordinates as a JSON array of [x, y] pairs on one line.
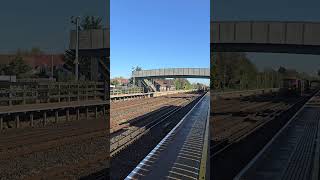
[[265, 36]]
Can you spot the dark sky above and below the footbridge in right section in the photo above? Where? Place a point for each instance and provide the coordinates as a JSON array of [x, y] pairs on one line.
[[277, 10]]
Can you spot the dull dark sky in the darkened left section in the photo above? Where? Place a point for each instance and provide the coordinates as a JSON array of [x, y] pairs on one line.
[[43, 23]]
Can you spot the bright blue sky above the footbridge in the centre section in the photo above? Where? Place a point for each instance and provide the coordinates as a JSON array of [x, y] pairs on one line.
[[159, 34]]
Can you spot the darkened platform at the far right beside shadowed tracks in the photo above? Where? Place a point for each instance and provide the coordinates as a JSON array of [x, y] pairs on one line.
[[293, 153]]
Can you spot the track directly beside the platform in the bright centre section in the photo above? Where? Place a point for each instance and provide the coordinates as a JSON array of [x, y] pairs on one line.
[[128, 154]]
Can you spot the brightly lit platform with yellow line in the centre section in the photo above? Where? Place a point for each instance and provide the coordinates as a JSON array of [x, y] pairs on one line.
[[183, 152]]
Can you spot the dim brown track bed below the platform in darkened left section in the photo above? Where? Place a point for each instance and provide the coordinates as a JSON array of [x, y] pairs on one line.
[[33, 152]]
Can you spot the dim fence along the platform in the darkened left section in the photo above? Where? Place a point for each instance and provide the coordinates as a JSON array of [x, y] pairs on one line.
[[48, 92]]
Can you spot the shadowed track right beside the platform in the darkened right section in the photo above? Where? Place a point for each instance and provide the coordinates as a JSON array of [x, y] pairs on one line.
[[250, 136]]
